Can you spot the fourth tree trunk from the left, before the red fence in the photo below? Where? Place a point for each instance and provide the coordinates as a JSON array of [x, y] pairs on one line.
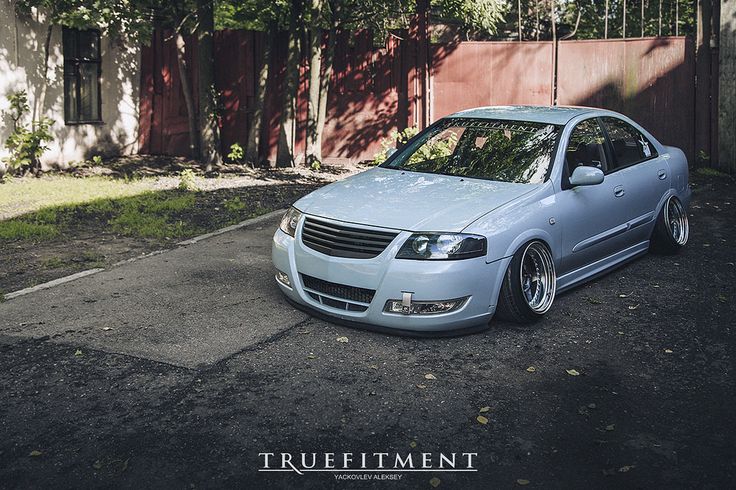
[[287, 133]]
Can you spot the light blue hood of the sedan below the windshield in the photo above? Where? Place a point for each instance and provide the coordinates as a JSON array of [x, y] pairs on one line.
[[410, 201]]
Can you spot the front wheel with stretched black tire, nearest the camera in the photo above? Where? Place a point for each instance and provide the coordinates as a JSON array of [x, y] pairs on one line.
[[529, 285]]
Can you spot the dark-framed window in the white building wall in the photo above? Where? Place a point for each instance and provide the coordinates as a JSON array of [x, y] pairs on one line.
[[82, 67]]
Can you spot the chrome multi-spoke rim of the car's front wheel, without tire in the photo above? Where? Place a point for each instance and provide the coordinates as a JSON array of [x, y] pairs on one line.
[[537, 277]]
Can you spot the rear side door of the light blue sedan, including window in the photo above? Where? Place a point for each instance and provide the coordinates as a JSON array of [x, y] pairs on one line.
[[644, 176]]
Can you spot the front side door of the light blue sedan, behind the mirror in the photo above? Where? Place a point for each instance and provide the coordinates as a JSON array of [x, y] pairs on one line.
[[592, 218]]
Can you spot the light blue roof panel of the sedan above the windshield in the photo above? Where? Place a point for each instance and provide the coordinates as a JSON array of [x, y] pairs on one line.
[[543, 114]]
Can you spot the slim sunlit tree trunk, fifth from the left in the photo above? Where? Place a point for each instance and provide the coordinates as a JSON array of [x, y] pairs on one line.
[[314, 150]]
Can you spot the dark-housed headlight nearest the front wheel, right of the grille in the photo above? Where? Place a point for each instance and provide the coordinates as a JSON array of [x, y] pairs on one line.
[[442, 246]]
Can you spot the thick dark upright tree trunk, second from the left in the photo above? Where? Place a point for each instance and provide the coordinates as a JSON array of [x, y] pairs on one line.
[[208, 122]]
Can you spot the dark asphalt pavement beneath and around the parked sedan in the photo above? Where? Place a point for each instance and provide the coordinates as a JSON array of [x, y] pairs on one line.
[[178, 369]]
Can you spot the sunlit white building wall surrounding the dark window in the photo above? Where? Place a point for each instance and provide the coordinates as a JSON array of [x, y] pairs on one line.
[[21, 68]]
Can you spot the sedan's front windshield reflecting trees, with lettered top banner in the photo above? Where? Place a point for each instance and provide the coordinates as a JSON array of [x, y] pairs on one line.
[[505, 151]]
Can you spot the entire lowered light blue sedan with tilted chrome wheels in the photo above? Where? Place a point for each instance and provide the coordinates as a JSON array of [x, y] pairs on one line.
[[488, 211]]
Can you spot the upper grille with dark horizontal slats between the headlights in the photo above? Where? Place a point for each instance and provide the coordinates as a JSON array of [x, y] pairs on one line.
[[344, 241]]
